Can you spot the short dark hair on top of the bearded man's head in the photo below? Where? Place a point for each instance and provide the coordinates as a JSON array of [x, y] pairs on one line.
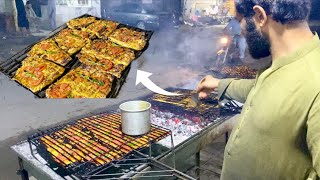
[[283, 11]]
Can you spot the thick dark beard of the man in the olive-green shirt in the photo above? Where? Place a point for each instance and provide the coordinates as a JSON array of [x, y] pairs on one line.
[[259, 46]]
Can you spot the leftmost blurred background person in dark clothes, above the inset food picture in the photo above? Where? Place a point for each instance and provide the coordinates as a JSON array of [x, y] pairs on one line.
[[23, 23]]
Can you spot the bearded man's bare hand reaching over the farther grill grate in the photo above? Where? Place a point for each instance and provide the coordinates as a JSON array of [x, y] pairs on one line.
[[206, 86]]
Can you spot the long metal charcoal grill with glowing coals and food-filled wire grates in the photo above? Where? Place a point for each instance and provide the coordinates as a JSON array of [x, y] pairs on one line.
[[95, 148]]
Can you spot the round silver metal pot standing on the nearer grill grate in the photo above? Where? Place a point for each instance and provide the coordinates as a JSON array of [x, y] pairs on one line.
[[135, 117]]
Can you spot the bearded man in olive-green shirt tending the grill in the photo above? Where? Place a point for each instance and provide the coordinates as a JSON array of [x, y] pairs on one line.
[[278, 133]]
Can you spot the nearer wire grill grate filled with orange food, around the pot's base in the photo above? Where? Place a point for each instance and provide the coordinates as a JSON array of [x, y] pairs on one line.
[[88, 144]]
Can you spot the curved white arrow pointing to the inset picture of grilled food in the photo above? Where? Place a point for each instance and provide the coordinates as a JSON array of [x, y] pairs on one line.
[[143, 78]]
